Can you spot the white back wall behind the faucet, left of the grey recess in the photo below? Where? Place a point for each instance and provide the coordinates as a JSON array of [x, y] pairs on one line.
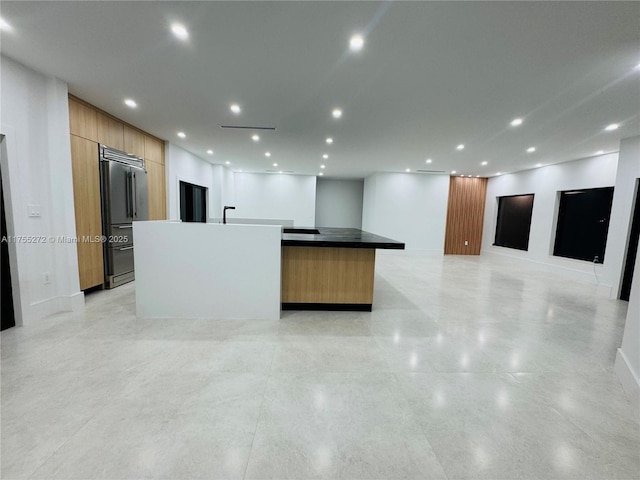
[[279, 196]]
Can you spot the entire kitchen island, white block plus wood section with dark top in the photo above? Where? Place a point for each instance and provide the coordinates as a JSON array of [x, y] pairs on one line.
[[241, 272]]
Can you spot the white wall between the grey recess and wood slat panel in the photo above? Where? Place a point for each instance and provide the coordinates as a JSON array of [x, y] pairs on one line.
[[410, 208]]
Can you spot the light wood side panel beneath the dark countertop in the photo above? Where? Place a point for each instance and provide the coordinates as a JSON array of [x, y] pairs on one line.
[[328, 275]]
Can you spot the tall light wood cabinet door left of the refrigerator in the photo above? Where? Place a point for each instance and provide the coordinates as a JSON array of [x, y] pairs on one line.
[[86, 193]]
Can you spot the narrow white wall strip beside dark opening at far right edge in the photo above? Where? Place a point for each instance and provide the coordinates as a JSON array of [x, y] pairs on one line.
[[622, 212]]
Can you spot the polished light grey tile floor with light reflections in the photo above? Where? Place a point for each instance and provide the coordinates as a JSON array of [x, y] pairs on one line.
[[468, 367]]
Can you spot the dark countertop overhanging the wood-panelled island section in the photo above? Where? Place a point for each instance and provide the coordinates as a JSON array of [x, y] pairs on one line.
[[338, 237]]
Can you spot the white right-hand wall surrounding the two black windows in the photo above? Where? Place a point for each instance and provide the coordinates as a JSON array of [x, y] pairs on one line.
[[545, 183]]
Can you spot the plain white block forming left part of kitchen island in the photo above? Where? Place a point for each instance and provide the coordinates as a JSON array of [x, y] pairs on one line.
[[207, 270]]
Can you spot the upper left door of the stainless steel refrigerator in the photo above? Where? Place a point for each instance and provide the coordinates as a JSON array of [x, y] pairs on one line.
[[119, 197]]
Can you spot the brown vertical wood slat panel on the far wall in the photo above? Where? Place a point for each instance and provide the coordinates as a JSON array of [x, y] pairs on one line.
[[465, 215]]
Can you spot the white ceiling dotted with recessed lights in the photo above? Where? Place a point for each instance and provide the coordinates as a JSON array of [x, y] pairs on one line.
[[432, 75]]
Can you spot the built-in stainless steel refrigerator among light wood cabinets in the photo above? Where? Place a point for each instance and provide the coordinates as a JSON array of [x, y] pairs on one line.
[[123, 186]]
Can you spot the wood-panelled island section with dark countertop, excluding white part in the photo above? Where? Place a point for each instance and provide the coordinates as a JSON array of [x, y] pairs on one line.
[[330, 268]]
